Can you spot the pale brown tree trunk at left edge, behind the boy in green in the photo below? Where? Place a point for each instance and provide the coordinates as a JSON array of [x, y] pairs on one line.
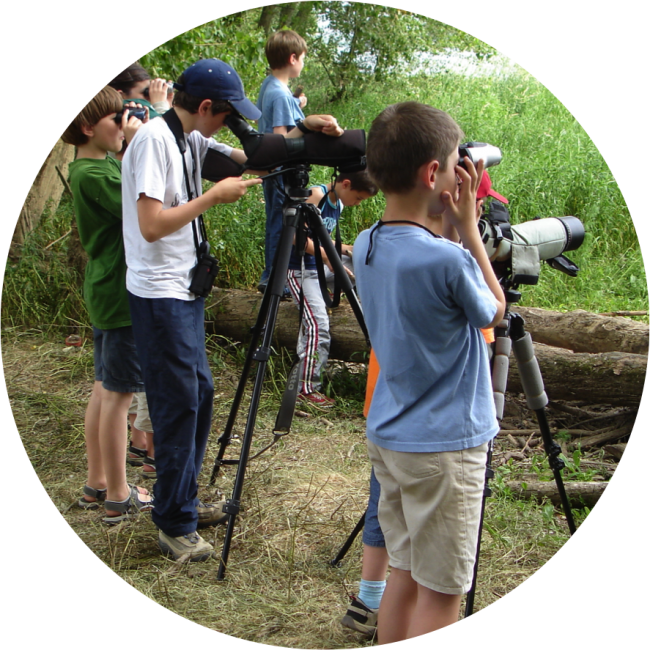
[[46, 186]]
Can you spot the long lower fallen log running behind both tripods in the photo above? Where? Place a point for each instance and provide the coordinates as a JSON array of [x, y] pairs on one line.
[[613, 377]]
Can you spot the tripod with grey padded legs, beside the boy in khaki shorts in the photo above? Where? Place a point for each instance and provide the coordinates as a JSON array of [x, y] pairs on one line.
[[510, 334]]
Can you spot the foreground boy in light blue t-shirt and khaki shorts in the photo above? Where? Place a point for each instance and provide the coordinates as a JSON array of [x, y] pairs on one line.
[[425, 299]]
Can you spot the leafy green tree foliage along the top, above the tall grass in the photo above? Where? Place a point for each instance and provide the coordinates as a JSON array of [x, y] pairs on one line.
[[351, 44]]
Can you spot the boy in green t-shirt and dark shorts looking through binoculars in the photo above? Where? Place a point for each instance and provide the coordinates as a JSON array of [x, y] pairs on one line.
[[96, 182]]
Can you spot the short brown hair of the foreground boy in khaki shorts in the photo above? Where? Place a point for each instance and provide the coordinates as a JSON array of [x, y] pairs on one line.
[[405, 136]]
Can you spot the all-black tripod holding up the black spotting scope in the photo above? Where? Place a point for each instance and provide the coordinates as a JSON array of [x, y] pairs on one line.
[[295, 213]]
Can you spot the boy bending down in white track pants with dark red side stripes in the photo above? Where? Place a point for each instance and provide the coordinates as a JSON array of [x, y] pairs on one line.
[[348, 189]]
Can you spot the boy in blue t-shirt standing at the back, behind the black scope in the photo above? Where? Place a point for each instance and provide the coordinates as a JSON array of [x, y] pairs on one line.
[[285, 52]]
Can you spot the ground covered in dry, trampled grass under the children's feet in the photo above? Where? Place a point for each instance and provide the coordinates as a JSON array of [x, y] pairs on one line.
[[301, 500]]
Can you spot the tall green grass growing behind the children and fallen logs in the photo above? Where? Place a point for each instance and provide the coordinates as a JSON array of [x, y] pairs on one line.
[[551, 167]]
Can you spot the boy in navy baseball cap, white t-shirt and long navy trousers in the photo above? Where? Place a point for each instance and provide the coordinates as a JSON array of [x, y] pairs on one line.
[[163, 235]]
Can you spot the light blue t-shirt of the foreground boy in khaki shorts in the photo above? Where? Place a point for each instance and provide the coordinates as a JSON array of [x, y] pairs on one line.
[[424, 299]]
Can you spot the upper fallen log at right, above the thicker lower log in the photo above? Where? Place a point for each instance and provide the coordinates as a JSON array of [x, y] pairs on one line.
[[582, 331]]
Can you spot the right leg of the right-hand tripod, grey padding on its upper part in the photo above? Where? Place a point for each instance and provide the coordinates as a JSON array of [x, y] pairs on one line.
[[533, 384]]
